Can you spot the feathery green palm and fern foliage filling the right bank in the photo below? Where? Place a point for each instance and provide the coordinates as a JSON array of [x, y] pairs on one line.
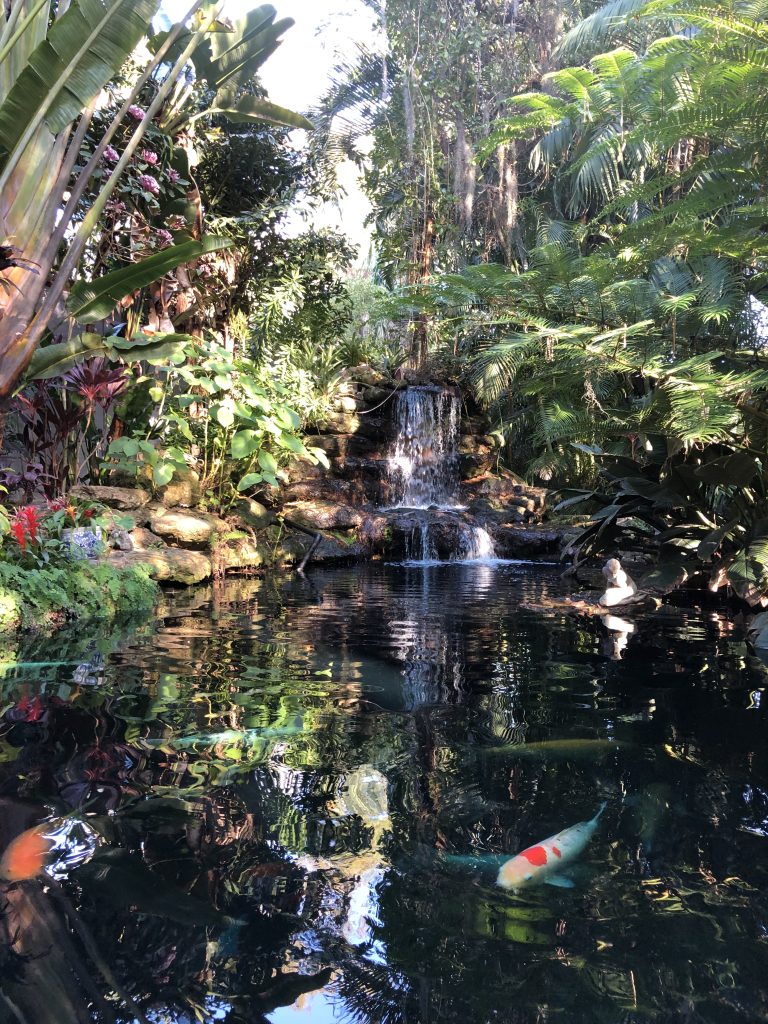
[[625, 349]]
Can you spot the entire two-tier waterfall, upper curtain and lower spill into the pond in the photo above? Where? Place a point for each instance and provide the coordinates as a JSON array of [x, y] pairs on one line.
[[424, 472]]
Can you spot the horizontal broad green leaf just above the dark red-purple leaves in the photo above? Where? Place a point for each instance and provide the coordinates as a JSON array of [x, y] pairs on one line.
[[57, 360]]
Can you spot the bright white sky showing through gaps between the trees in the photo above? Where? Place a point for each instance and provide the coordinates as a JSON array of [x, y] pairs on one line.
[[297, 75]]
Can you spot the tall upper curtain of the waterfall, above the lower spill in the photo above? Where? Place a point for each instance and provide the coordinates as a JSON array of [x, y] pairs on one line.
[[424, 465]]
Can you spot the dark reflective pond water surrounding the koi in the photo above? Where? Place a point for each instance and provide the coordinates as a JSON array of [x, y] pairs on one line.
[[290, 786]]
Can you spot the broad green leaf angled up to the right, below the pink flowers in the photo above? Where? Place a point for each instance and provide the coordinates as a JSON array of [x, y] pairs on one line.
[[96, 300]]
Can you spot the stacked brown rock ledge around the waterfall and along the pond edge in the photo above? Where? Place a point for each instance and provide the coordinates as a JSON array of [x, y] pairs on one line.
[[339, 513]]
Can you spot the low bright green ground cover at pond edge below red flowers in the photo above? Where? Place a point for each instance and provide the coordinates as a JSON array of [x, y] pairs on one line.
[[45, 598]]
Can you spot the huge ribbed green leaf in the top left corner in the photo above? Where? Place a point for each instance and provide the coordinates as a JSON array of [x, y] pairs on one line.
[[83, 51]]
